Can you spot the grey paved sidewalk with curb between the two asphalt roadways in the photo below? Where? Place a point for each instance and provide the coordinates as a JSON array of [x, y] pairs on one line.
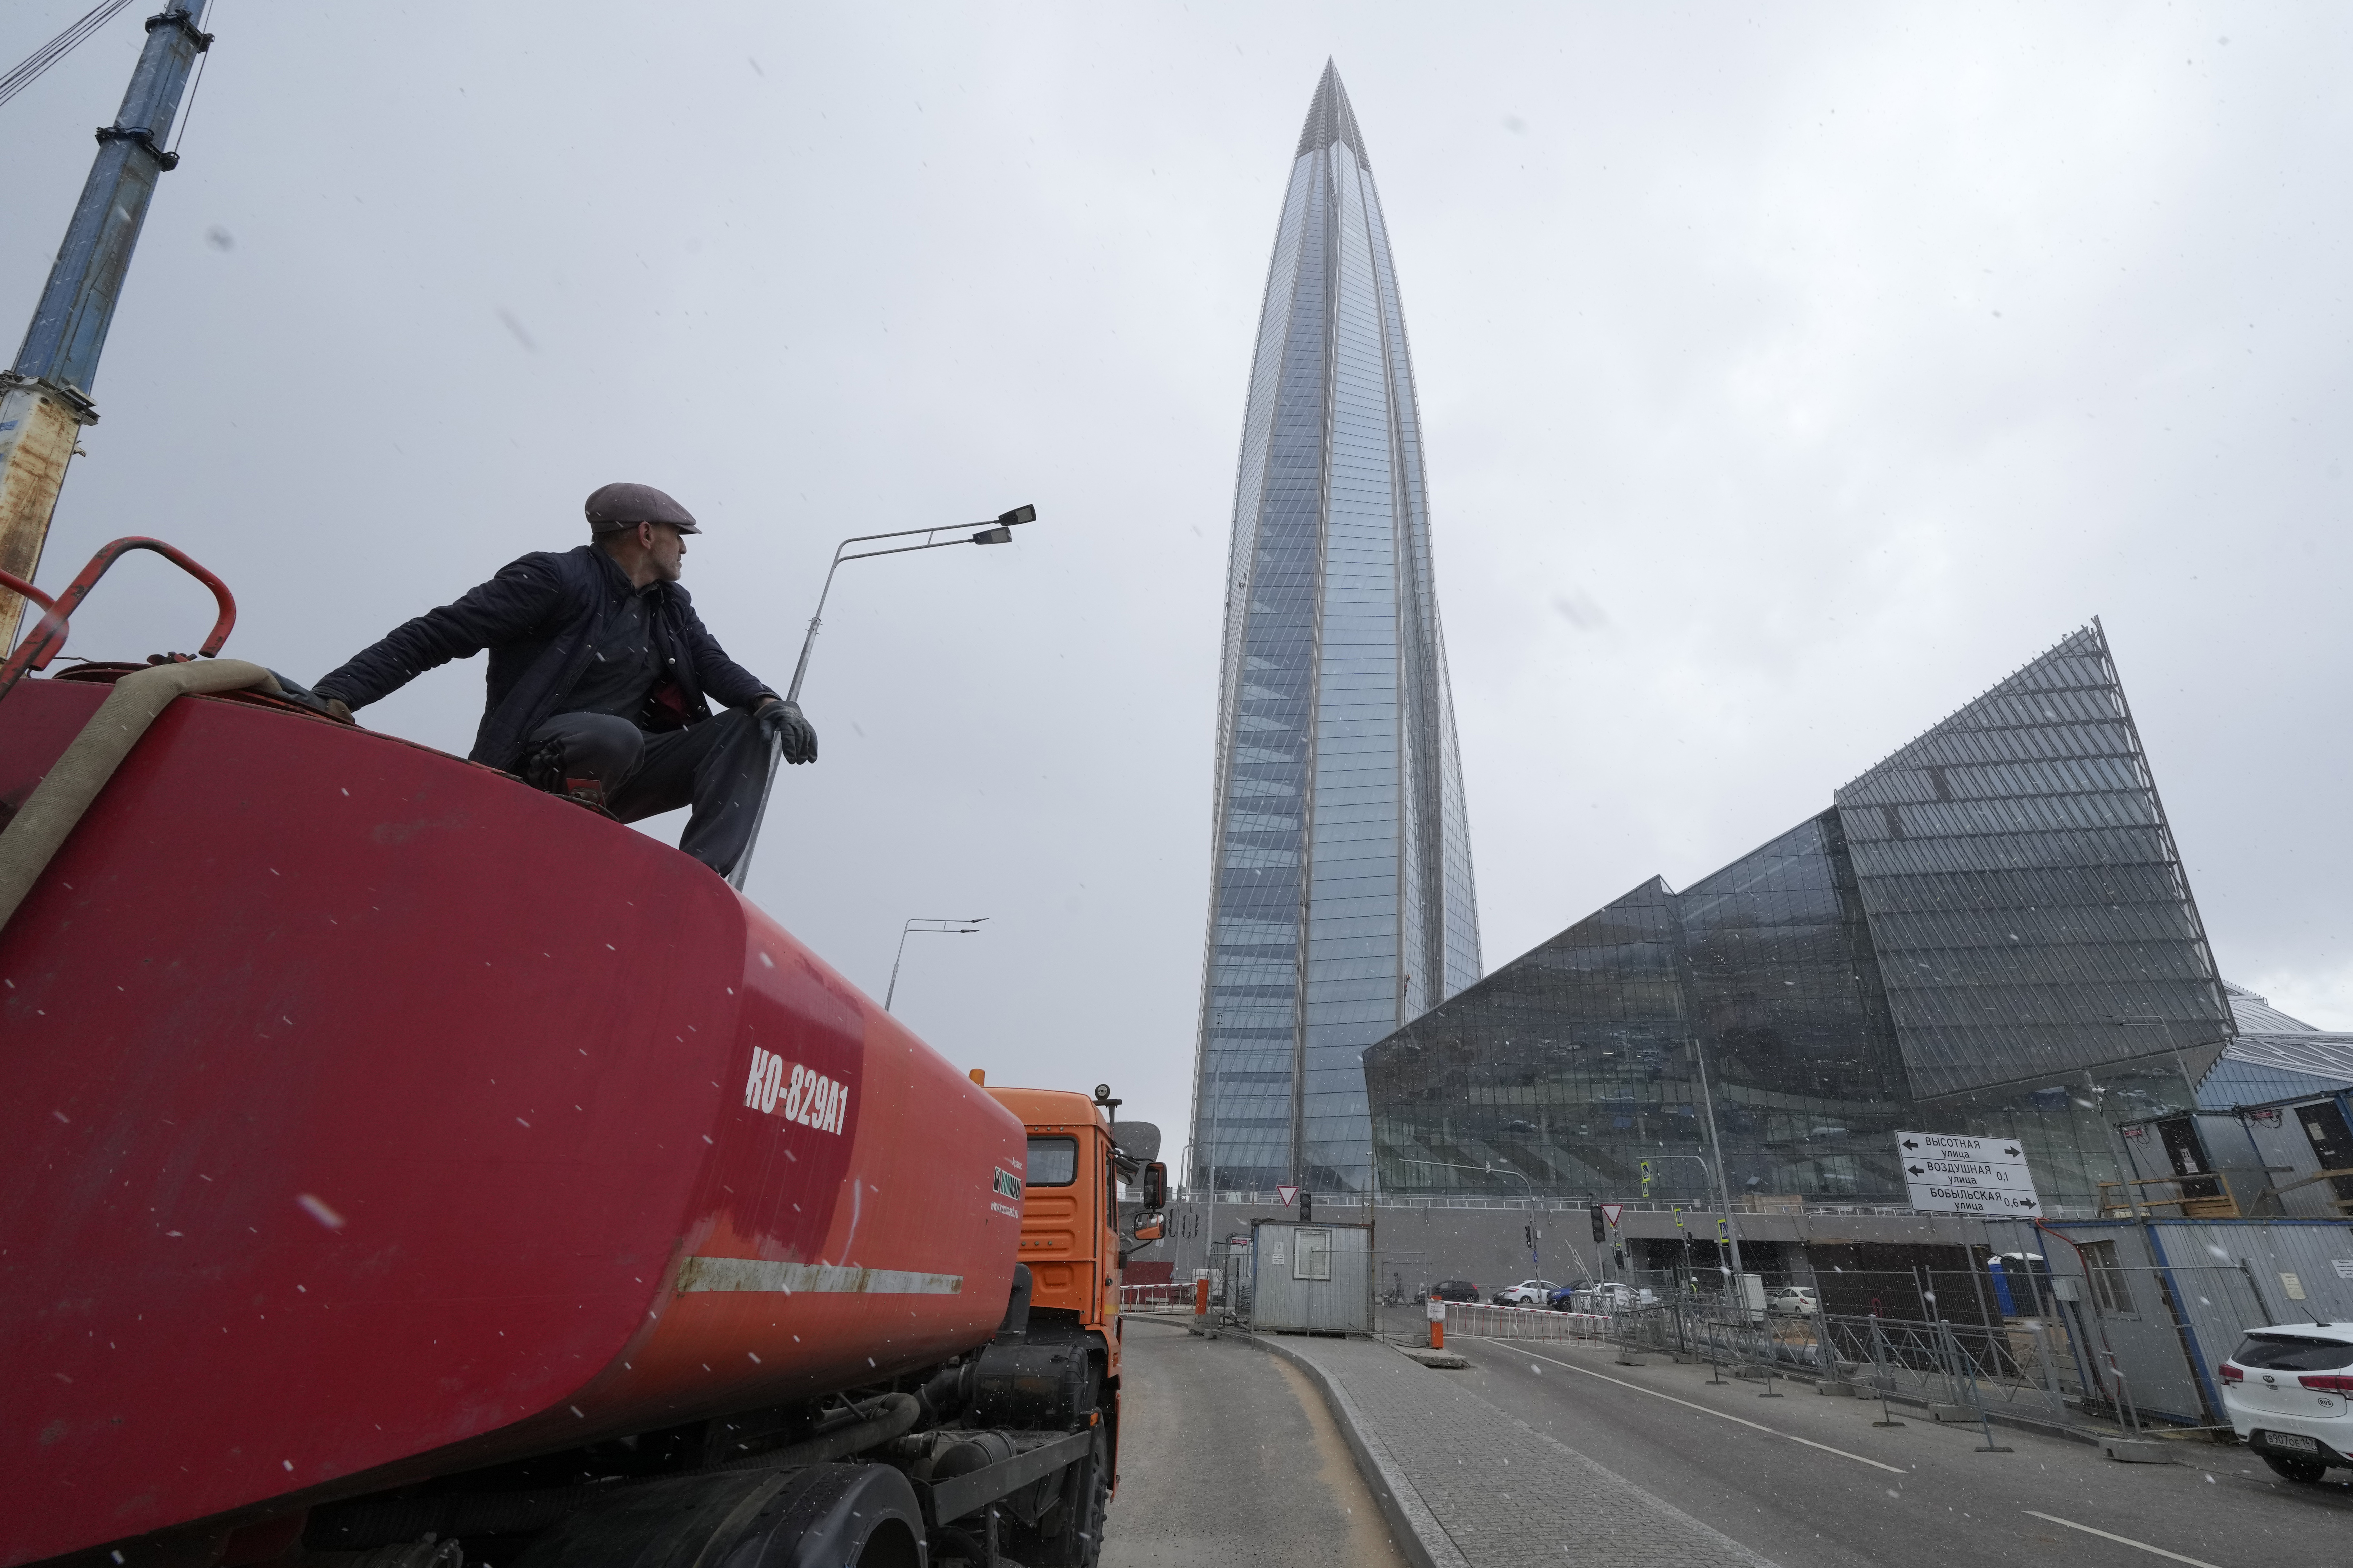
[[1479, 1489]]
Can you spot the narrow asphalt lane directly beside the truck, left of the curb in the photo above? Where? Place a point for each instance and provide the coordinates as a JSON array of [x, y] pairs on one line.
[[1229, 1456]]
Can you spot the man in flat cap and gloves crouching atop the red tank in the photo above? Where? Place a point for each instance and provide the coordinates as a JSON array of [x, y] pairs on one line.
[[601, 678]]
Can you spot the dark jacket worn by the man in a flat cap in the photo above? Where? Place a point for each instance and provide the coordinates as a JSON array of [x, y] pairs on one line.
[[542, 622]]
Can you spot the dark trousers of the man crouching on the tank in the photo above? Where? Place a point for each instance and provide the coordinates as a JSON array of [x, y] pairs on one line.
[[719, 768]]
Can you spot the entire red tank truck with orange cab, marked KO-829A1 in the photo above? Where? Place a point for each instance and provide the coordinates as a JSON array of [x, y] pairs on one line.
[[406, 1167]]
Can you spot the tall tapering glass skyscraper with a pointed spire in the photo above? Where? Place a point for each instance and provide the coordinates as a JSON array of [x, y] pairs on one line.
[[1342, 885]]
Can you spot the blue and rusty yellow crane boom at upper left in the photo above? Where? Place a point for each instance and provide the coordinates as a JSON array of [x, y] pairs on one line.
[[46, 394]]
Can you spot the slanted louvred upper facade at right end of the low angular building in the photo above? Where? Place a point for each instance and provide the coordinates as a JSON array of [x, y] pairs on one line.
[[2025, 892]]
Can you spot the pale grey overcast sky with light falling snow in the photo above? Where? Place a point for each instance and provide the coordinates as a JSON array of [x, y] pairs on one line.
[[1789, 375]]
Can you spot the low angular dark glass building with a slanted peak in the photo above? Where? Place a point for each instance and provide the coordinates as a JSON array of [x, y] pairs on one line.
[[1989, 932]]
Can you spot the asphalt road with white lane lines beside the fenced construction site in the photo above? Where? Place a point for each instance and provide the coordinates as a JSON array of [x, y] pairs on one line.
[[1912, 1496]]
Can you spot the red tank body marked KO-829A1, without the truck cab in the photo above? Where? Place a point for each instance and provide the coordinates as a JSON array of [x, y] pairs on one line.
[[413, 1123]]
